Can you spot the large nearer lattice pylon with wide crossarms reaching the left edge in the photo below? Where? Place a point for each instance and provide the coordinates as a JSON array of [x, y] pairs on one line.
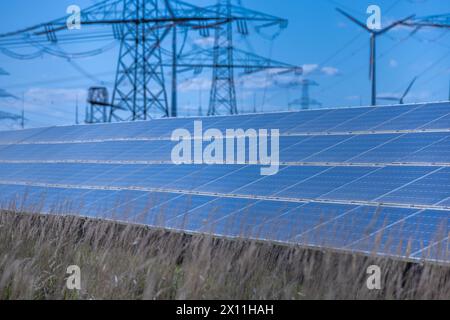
[[141, 27]]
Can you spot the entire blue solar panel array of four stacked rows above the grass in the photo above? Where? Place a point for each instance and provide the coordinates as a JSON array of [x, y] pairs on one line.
[[369, 179]]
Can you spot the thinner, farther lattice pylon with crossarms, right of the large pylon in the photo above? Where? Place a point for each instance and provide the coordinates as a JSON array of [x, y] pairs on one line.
[[224, 58]]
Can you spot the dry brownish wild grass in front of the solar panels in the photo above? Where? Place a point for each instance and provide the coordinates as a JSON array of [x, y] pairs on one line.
[[133, 262]]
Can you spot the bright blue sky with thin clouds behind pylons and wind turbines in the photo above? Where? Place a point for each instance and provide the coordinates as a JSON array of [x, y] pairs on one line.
[[334, 50]]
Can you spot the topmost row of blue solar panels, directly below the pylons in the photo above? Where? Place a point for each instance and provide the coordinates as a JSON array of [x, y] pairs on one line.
[[395, 118]]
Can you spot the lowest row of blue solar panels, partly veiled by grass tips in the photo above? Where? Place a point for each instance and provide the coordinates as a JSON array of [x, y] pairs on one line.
[[383, 230]]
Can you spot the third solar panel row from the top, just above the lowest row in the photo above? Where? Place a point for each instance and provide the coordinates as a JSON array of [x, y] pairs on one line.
[[399, 185]]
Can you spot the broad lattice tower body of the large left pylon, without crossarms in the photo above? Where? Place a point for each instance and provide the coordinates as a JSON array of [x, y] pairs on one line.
[[140, 85]]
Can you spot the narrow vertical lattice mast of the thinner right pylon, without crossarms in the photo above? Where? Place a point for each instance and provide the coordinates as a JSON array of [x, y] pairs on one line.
[[223, 90]]
